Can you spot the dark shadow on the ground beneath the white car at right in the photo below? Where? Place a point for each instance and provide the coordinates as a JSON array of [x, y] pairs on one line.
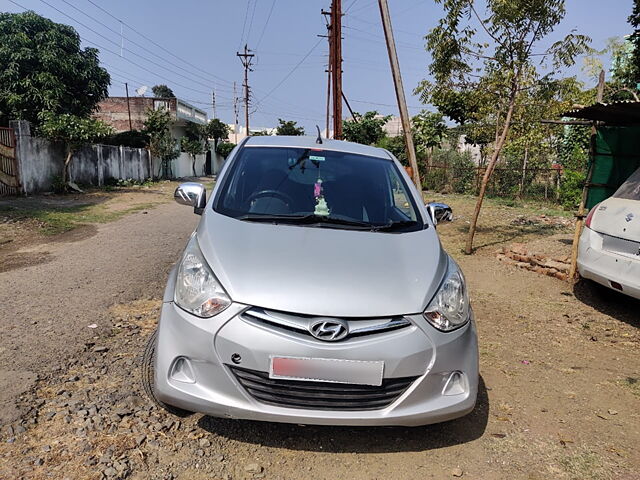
[[607, 301]]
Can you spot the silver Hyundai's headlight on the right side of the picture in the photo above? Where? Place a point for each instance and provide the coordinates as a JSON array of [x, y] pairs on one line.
[[449, 309]]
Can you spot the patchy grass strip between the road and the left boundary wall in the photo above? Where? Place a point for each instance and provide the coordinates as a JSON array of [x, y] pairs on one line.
[[56, 220]]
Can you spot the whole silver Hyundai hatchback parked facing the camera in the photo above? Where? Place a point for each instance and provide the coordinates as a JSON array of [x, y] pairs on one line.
[[314, 291]]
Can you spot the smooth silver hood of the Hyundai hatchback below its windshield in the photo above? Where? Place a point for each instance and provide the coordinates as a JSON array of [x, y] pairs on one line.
[[323, 271]]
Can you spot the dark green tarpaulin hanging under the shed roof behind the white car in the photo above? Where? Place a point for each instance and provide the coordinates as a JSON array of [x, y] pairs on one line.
[[617, 156]]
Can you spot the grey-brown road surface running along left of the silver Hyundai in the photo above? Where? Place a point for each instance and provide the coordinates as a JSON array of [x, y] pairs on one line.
[[46, 308]]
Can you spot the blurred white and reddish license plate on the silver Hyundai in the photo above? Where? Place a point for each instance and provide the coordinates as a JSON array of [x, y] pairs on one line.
[[359, 372]]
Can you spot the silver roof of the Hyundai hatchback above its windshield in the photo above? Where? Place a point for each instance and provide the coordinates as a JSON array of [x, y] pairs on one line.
[[307, 141]]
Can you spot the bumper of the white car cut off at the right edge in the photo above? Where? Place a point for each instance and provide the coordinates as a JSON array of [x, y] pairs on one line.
[[603, 266]]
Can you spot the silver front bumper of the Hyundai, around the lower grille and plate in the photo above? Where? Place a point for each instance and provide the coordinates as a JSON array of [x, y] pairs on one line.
[[193, 368]]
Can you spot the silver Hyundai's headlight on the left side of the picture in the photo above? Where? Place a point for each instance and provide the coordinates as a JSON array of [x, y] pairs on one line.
[[197, 289]]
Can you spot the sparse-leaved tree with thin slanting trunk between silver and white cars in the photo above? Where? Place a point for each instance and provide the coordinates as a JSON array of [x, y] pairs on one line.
[[492, 68]]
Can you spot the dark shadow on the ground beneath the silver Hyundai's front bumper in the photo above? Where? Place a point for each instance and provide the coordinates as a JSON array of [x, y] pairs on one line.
[[338, 439]]
